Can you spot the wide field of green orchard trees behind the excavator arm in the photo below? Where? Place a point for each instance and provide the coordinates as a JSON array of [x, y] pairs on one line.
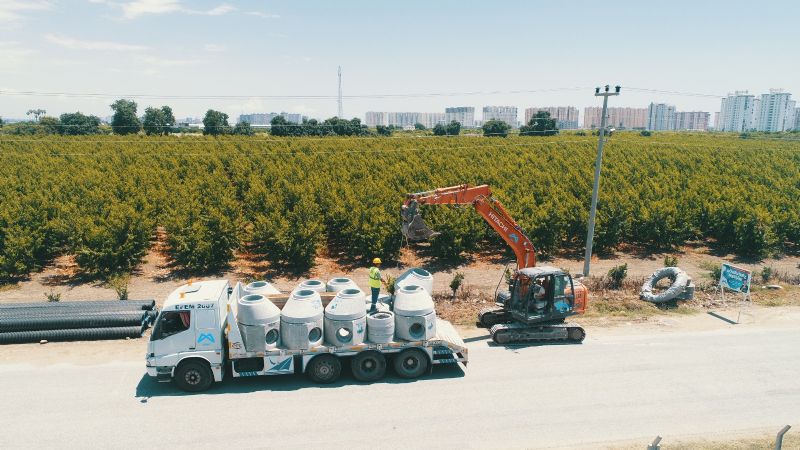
[[101, 199]]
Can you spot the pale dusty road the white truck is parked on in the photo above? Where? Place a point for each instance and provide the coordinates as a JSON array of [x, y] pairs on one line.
[[609, 389]]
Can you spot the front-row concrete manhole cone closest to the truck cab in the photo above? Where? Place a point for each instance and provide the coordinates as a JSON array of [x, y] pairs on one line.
[[259, 322]]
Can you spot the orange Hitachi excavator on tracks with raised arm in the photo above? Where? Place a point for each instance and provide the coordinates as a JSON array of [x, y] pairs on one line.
[[538, 300]]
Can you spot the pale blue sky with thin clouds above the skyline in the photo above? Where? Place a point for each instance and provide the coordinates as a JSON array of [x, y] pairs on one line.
[[395, 56]]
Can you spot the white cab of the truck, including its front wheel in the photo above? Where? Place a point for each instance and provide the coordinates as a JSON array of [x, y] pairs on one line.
[[187, 340]]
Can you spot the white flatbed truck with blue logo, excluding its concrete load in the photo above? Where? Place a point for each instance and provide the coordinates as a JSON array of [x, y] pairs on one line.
[[195, 339]]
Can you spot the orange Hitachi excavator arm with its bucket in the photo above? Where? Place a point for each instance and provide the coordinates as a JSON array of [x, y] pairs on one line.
[[480, 197]]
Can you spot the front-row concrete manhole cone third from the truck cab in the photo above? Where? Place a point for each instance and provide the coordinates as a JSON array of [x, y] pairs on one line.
[[346, 319]]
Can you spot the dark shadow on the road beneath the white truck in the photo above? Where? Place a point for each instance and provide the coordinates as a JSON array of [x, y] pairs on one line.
[[148, 387]]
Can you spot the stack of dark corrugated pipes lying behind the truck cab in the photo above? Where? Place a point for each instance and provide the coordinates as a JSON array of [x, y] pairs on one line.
[[75, 321]]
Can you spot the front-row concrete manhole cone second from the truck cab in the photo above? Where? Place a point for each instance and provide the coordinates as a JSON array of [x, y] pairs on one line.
[[302, 320]]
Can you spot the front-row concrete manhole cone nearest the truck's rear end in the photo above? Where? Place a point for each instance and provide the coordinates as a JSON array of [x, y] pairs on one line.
[[415, 315]]
